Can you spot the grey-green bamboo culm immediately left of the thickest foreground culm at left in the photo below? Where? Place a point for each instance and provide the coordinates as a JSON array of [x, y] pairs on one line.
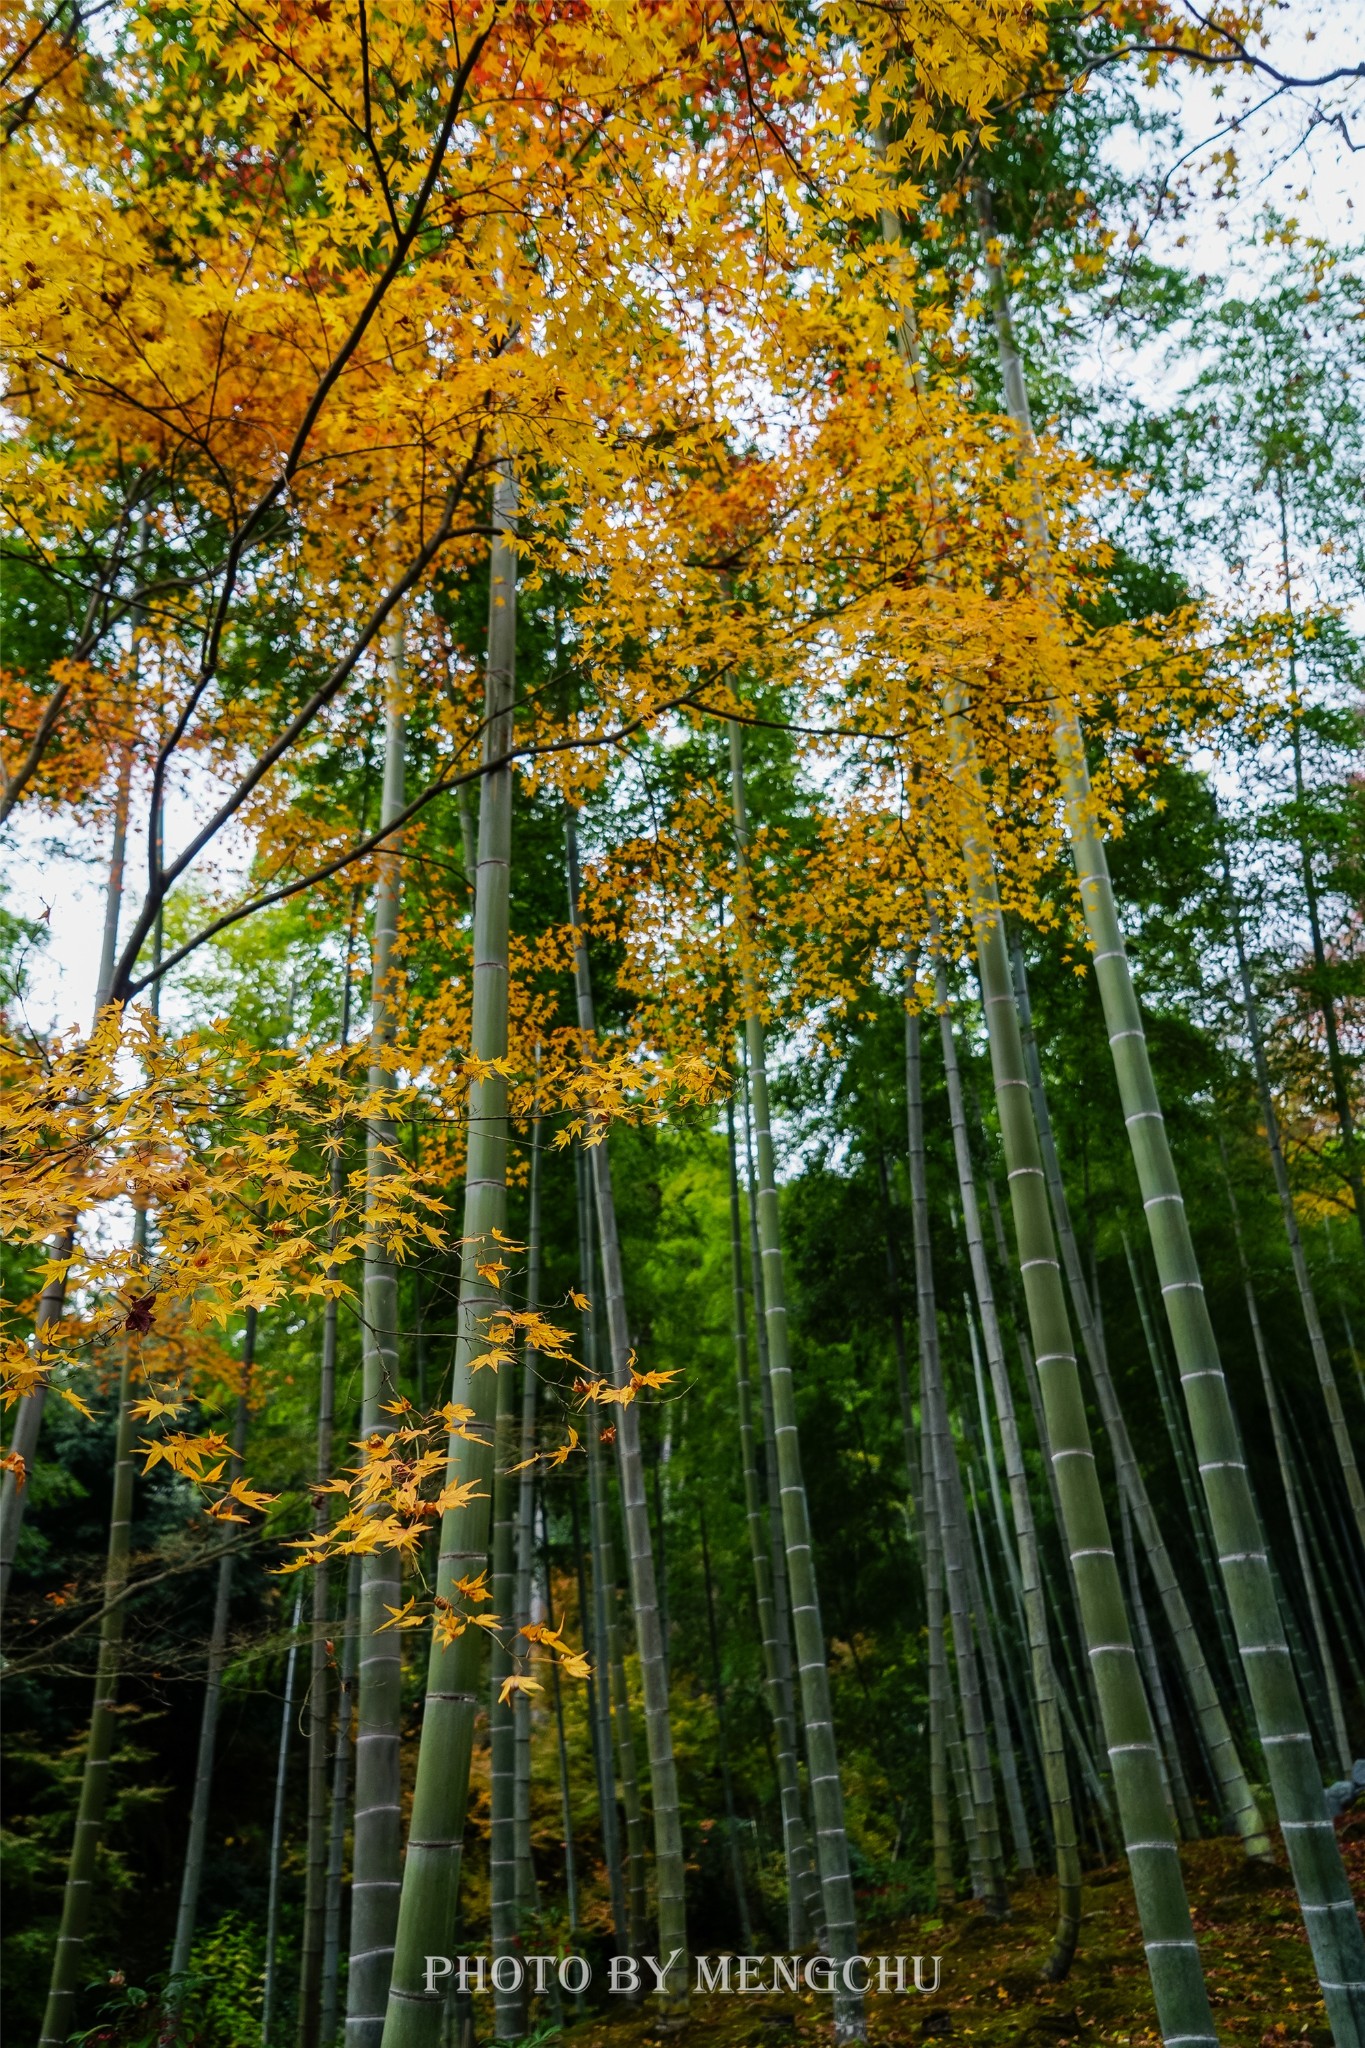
[[378, 1852]]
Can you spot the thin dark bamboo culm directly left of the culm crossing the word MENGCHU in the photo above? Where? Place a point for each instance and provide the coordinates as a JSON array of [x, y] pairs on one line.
[[777, 1676]]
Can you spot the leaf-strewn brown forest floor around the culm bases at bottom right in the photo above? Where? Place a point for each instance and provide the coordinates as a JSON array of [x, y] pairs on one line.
[[1249, 1928]]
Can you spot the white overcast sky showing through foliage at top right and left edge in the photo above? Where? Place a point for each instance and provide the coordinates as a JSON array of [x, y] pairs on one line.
[[1282, 155]]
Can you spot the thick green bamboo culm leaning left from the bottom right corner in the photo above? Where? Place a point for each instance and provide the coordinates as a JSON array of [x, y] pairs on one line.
[[1282, 1723]]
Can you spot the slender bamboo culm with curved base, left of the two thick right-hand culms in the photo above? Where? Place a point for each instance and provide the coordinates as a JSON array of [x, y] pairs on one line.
[[1026, 1558]]
